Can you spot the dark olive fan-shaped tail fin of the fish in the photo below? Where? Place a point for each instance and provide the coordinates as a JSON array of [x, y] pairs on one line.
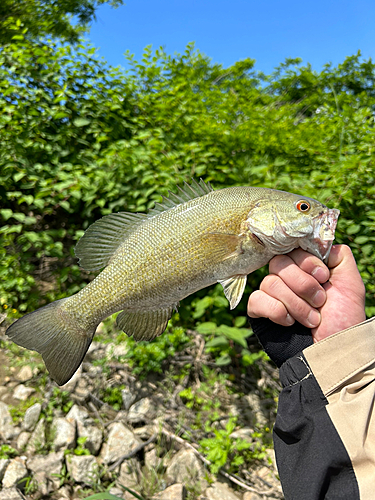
[[53, 332]]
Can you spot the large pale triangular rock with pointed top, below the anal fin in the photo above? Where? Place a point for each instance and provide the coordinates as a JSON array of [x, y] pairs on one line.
[[120, 442]]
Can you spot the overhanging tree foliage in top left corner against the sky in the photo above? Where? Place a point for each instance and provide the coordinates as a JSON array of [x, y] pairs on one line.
[[48, 18]]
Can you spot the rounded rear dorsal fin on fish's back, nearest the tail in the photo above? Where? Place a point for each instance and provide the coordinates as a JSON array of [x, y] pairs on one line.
[[103, 238]]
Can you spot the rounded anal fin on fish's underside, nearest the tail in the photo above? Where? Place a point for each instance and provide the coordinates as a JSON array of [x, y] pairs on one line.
[[145, 325]]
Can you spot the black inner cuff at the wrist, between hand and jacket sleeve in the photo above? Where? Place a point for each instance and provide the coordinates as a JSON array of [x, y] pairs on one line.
[[281, 342]]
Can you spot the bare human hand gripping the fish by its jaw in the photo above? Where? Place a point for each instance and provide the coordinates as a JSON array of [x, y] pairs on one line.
[[300, 287]]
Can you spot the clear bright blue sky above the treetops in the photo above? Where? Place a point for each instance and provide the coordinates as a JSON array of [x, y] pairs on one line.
[[227, 31]]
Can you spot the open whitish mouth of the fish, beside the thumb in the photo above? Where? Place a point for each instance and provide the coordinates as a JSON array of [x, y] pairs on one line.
[[320, 242]]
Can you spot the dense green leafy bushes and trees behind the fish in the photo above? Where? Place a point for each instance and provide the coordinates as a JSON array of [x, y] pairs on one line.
[[80, 139]]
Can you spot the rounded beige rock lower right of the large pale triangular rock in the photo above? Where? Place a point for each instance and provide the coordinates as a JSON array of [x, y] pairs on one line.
[[186, 468]]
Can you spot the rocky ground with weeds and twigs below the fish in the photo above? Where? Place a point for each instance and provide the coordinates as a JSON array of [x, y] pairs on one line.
[[108, 430]]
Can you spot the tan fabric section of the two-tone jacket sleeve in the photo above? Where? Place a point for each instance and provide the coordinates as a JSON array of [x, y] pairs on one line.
[[344, 367]]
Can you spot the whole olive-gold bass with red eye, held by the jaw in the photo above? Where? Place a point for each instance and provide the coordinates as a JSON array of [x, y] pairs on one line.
[[149, 262]]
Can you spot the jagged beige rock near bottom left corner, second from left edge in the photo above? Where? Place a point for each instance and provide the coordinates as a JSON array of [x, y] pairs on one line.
[[45, 469]]
